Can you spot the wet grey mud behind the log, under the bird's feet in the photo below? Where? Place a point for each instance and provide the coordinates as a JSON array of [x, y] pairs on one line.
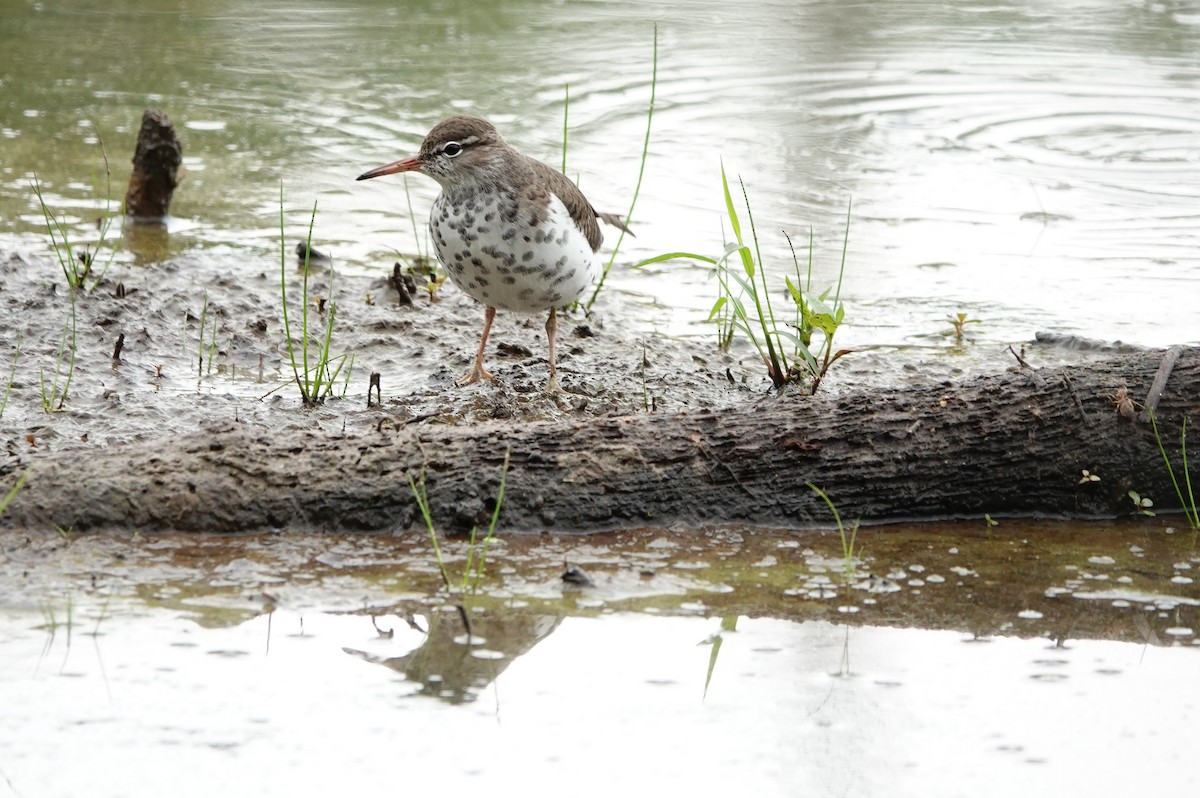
[[171, 347]]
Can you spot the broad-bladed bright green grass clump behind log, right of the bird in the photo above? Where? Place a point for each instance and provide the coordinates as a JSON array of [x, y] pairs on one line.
[[745, 304]]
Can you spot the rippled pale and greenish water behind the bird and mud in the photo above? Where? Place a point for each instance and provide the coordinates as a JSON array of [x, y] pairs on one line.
[[1034, 166]]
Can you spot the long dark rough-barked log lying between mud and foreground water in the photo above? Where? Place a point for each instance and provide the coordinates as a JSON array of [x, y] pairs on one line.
[[1010, 445]]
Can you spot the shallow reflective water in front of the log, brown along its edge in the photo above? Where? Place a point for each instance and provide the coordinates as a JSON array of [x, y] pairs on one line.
[[709, 662]]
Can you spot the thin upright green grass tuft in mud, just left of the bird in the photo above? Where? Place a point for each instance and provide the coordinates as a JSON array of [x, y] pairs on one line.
[[315, 368]]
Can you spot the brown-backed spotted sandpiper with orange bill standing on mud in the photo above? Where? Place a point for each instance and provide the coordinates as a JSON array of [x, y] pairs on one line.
[[511, 231]]
